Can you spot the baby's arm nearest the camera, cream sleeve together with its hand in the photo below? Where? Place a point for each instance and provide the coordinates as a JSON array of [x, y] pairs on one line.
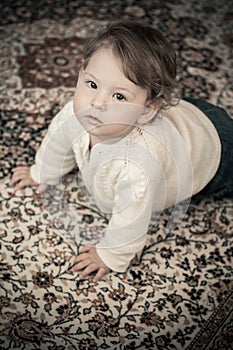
[[125, 235]]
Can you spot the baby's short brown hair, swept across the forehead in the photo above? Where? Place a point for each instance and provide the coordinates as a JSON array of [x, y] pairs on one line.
[[147, 58]]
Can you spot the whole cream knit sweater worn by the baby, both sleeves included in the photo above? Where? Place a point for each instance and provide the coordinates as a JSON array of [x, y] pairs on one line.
[[152, 168]]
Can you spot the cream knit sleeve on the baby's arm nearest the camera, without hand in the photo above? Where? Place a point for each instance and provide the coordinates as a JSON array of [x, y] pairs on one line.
[[126, 233]]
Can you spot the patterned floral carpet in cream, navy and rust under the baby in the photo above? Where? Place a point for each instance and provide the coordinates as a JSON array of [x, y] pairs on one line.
[[178, 293]]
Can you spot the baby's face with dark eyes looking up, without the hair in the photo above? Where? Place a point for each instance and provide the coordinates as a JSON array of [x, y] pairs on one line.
[[105, 101]]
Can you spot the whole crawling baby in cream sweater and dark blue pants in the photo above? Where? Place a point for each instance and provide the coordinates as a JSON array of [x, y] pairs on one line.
[[138, 148]]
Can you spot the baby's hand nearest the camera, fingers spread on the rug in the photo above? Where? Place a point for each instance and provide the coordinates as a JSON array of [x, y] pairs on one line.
[[89, 261]]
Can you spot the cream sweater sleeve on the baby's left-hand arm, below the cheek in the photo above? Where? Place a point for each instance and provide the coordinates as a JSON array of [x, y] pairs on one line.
[[55, 156]]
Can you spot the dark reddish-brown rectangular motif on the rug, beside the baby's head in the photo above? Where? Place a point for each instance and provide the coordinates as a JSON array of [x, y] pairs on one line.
[[52, 64]]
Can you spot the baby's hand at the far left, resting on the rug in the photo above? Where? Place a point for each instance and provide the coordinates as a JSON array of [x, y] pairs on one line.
[[22, 178]]
